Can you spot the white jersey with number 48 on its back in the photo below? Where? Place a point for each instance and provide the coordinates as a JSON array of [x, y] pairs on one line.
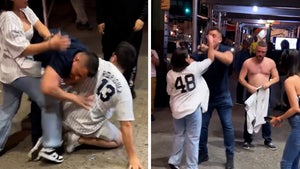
[[188, 89]]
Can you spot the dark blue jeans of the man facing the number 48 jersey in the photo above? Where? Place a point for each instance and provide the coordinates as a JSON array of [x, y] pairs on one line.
[[223, 105]]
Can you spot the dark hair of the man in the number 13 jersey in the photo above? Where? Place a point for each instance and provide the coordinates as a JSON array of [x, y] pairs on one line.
[[126, 55]]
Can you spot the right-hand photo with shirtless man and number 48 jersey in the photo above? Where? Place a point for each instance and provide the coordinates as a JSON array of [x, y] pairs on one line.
[[225, 84]]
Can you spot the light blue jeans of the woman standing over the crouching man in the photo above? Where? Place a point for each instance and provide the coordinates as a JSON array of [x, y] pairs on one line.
[[12, 94]]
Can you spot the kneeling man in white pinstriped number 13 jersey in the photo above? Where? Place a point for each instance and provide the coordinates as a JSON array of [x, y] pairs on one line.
[[111, 95]]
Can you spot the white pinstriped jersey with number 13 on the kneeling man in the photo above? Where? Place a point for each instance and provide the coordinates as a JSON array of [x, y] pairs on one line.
[[111, 95]]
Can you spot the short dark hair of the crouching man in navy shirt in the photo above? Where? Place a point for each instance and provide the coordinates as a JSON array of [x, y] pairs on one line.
[[92, 63]]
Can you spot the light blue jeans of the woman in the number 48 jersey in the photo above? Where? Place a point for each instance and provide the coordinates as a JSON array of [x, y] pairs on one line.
[[186, 135]]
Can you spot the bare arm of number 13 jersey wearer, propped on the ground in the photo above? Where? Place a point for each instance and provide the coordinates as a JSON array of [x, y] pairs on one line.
[[126, 130]]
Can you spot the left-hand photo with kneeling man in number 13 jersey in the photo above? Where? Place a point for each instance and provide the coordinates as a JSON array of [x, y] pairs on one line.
[[74, 84]]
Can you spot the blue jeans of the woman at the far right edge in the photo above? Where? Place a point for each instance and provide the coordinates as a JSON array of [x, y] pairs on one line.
[[291, 153]]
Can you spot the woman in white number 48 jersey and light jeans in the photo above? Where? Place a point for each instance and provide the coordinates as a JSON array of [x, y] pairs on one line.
[[185, 85]]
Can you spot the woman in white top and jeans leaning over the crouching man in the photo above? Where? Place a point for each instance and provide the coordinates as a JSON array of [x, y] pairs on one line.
[[18, 71]]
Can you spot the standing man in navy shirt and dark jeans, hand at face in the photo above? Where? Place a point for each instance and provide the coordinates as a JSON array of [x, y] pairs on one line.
[[220, 99]]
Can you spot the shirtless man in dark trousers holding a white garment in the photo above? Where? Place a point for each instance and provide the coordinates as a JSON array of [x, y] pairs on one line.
[[261, 72]]
